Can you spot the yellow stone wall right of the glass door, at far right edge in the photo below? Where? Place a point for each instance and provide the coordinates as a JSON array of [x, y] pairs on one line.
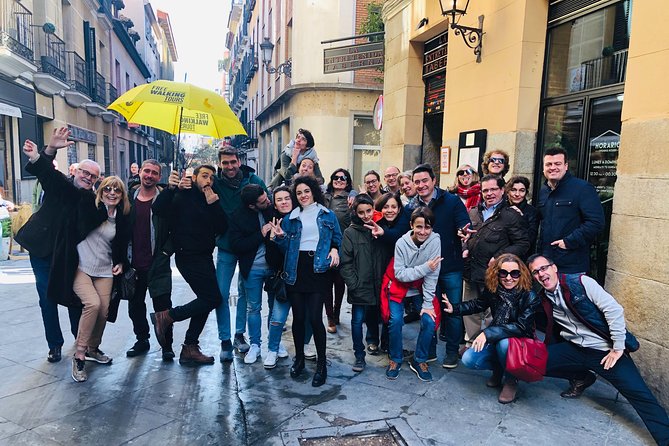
[[638, 261]]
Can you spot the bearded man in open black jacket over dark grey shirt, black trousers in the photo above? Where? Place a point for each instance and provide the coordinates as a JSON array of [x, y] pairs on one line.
[[150, 254]]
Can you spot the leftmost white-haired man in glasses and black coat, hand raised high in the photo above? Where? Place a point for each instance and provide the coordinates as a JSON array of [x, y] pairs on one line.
[[52, 224]]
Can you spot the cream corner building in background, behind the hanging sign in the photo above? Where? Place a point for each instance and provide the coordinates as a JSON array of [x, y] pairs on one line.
[[336, 108]]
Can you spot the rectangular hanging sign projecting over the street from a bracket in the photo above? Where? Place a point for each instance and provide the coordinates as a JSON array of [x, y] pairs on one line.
[[353, 57]]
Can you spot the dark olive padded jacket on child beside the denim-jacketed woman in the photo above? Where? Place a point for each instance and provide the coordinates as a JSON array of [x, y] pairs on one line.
[[361, 265]]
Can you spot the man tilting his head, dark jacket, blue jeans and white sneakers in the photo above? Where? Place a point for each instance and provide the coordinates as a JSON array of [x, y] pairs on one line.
[[249, 227]]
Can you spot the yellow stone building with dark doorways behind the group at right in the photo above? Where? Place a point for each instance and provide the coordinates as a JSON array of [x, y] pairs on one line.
[[583, 75]]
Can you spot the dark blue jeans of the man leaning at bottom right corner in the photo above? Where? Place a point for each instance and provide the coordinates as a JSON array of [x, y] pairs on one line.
[[564, 358]]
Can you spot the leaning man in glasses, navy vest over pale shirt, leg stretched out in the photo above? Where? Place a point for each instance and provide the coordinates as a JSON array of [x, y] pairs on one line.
[[592, 325]]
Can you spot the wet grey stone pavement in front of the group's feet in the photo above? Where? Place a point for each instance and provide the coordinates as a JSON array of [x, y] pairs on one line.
[[143, 401]]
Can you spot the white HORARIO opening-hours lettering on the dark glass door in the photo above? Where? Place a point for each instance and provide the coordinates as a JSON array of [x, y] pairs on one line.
[[604, 163]]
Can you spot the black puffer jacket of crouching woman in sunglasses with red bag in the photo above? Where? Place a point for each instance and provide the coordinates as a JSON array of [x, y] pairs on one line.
[[521, 324]]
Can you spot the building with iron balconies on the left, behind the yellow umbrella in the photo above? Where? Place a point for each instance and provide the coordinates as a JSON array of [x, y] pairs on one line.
[[62, 63]]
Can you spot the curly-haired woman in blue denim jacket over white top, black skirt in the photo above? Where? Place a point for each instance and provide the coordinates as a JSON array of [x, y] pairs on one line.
[[310, 236]]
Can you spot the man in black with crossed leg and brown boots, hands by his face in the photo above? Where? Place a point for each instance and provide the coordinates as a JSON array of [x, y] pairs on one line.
[[195, 218]]
